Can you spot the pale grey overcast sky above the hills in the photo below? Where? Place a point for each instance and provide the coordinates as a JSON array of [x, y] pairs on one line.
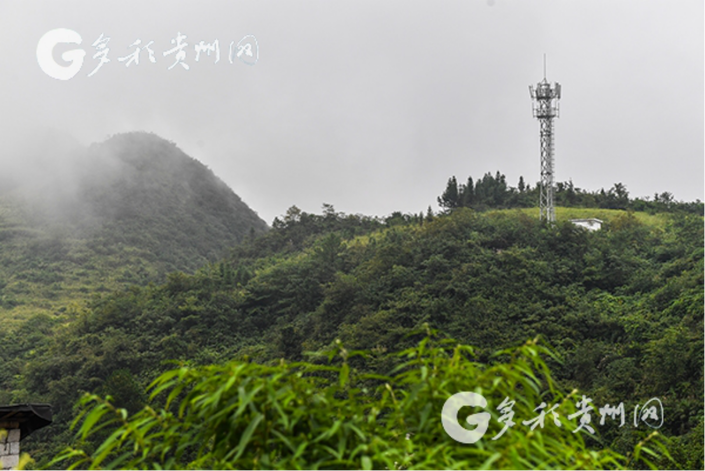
[[372, 105]]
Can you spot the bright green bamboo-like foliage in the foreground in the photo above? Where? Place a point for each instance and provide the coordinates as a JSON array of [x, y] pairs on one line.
[[329, 414]]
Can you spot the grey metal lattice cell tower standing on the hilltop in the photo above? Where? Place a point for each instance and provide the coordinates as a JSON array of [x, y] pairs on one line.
[[545, 107]]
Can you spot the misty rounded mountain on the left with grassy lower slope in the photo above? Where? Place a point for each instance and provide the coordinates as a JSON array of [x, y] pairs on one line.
[[75, 222]]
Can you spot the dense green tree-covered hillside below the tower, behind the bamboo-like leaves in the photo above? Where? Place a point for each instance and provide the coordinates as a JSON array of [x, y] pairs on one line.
[[622, 306]]
